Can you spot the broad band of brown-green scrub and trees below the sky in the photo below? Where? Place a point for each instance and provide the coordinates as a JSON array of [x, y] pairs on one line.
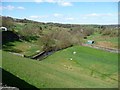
[[54, 36]]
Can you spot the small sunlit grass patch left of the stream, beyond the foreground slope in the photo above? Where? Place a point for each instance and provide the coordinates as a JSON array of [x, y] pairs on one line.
[[24, 47]]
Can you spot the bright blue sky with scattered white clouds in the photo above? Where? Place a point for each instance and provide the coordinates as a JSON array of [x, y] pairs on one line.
[[63, 12]]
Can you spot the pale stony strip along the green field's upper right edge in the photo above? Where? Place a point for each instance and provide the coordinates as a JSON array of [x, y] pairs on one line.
[[103, 48]]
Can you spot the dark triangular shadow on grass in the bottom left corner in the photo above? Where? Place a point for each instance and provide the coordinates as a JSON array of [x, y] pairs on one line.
[[13, 81]]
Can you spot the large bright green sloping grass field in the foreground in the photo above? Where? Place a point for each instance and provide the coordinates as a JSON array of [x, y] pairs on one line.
[[88, 68]]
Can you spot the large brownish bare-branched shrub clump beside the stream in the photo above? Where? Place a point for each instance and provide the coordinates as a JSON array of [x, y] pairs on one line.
[[58, 39]]
